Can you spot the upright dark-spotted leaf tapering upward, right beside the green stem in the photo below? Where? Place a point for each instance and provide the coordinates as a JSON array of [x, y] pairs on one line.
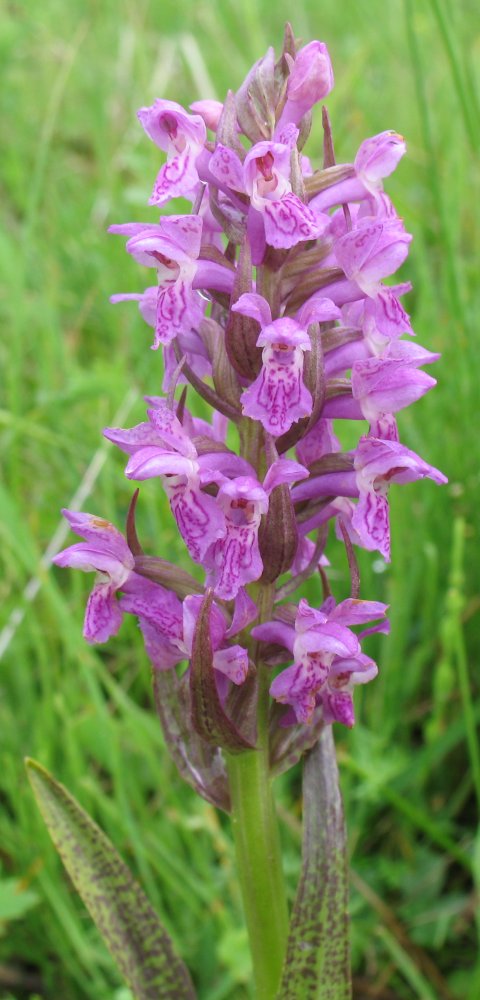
[[317, 963]]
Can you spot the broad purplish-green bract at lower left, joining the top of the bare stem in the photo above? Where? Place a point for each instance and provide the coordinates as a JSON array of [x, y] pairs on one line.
[[198, 763]]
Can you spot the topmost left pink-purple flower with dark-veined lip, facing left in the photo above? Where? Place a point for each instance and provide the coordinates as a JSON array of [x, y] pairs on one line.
[[182, 136]]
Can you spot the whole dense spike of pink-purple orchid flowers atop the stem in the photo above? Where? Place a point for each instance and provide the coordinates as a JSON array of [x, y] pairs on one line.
[[278, 314]]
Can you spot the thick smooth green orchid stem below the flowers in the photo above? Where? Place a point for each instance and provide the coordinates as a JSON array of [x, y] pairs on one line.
[[257, 846]]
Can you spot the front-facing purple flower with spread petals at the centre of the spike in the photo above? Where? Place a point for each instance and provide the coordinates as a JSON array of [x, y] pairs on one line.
[[278, 397]]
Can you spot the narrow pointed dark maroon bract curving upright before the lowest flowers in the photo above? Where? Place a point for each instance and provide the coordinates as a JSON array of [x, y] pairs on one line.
[[208, 715]]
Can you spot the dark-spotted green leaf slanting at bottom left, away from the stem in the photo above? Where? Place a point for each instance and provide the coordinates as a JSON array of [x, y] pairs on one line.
[[123, 914]]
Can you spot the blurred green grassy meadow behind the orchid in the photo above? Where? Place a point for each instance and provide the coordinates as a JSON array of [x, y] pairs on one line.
[[74, 161]]
